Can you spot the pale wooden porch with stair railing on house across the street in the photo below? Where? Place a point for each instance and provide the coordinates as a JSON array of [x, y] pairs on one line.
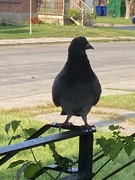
[[61, 7]]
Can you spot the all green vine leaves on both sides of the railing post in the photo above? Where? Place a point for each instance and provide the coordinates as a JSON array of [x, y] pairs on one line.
[[110, 146]]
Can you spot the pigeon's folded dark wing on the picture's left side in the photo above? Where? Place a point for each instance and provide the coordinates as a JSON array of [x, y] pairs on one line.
[[56, 89]]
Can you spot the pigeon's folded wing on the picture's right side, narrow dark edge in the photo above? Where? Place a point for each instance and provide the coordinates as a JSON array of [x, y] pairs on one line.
[[97, 90]]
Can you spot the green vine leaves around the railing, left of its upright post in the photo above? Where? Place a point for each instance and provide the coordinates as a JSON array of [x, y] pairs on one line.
[[30, 168]]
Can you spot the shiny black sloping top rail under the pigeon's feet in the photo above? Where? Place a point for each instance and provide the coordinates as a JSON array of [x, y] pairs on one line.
[[31, 143]]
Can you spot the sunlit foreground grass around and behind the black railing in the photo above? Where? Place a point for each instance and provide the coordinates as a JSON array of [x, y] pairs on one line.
[[27, 118]]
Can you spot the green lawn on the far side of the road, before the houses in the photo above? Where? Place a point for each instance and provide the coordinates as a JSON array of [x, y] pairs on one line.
[[53, 30]]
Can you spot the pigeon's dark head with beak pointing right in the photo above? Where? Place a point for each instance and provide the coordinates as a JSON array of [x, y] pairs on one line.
[[79, 44]]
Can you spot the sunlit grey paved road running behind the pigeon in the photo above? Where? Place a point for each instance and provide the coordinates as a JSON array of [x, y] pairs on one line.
[[27, 72]]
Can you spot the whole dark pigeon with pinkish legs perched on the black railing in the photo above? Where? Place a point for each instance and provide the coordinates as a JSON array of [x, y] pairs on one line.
[[76, 88]]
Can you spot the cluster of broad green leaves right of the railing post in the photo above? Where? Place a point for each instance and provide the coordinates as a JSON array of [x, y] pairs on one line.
[[112, 146]]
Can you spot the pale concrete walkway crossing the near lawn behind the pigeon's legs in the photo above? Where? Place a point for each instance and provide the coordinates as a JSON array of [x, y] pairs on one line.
[[101, 120]]
